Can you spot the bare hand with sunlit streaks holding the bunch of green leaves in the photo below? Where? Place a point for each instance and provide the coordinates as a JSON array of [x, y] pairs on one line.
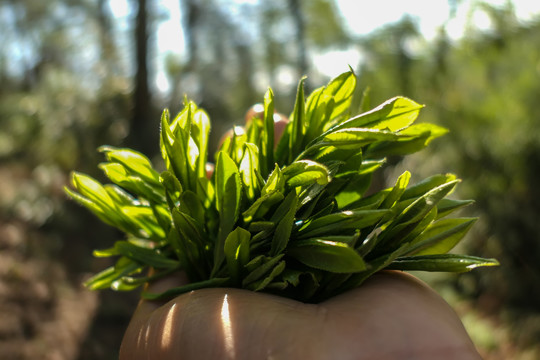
[[391, 316]]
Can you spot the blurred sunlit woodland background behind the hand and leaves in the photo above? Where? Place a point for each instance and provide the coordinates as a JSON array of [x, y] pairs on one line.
[[76, 74]]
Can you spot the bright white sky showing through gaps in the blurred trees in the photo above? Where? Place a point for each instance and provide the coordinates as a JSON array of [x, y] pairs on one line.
[[360, 19]]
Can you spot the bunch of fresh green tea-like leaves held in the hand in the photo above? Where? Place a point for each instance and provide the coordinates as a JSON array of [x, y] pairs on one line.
[[293, 219]]
